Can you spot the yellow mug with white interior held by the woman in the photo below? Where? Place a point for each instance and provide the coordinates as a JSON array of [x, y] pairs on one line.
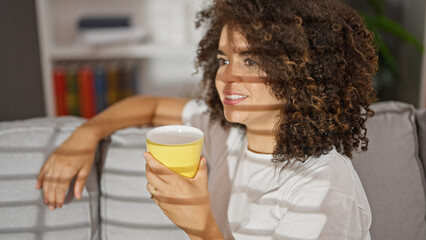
[[177, 147]]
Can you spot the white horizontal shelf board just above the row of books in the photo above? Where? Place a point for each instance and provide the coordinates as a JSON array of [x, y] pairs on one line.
[[122, 52]]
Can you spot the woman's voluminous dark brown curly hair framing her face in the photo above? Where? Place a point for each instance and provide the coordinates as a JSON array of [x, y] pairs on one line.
[[319, 58]]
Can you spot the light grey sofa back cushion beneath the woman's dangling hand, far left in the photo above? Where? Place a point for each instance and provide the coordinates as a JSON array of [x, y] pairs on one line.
[[24, 147]]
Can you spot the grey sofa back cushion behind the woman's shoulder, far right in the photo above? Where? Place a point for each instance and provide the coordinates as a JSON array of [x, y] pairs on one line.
[[392, 173]]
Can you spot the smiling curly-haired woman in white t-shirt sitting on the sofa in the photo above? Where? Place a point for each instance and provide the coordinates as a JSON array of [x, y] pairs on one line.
[[287, 93]]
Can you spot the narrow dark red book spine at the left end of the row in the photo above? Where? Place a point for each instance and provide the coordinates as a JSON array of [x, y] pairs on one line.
[[60, 92]]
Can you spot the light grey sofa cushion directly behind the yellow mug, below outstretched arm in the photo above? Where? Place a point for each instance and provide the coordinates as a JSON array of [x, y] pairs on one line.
[[127, 212]]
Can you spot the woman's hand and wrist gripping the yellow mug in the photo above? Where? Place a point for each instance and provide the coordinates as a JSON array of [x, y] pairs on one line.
[[185, 201]]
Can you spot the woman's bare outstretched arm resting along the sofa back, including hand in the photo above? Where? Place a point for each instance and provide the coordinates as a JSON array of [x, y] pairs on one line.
[[75, 156]]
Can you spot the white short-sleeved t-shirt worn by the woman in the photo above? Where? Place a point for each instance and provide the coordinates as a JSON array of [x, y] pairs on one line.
[[322, 198]]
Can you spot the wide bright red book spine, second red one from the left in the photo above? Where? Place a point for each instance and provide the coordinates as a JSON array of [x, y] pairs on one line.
[[86, 92]]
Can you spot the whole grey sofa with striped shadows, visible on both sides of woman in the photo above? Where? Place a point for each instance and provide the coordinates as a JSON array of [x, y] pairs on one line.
[[115, 204]]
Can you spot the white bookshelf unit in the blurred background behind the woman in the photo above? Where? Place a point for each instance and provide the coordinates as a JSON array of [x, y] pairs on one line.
[[164, 59]]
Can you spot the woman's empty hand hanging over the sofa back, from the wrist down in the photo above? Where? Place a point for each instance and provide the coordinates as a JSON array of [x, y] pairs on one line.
[[74, 157]]
